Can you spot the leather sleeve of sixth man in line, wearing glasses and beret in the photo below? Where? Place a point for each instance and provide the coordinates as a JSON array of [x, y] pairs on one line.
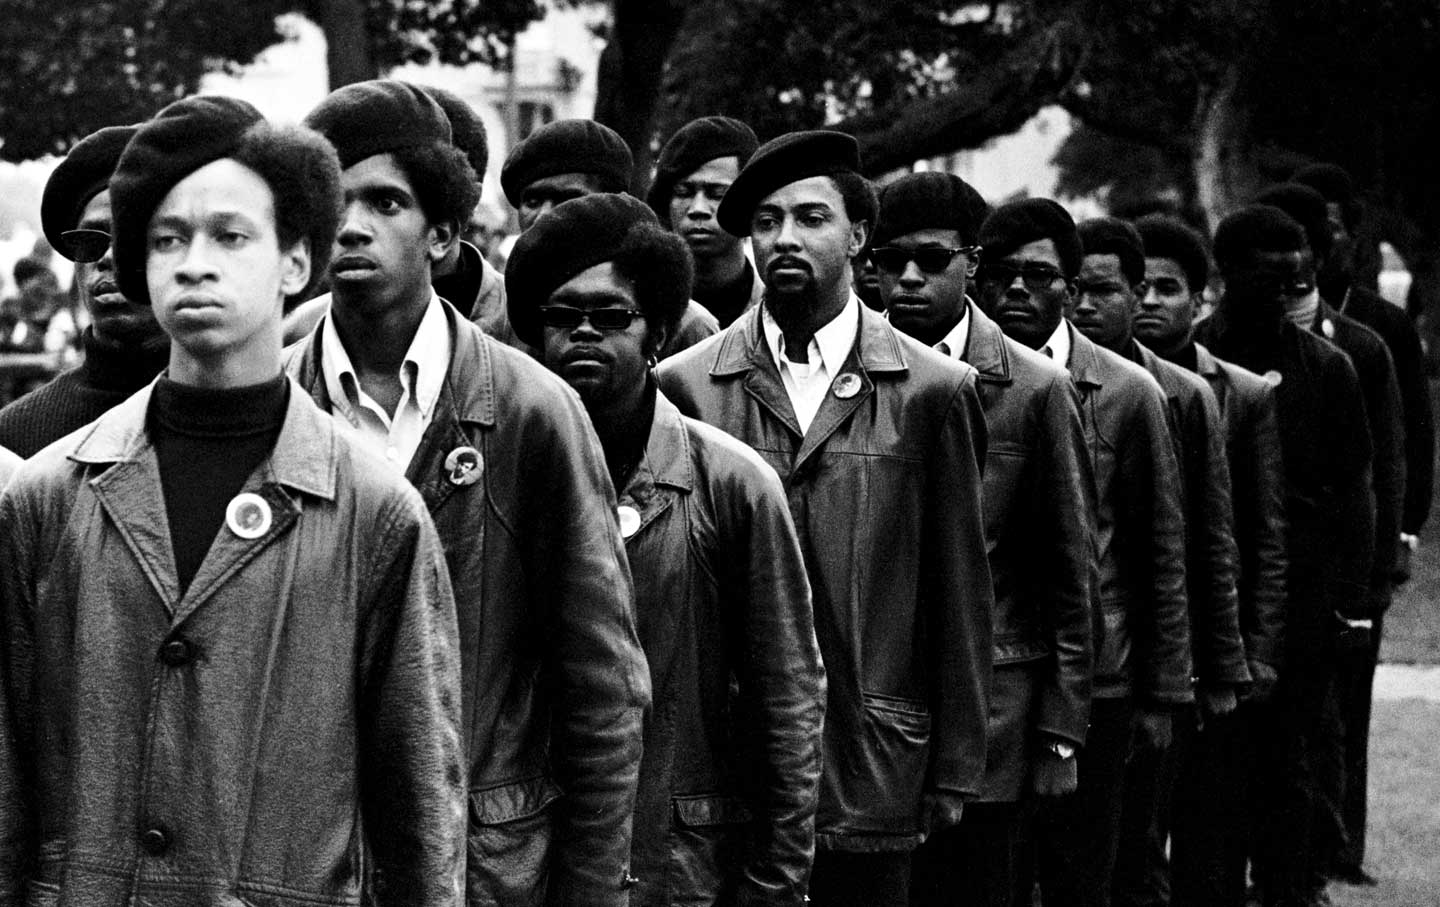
[[1153, 496]]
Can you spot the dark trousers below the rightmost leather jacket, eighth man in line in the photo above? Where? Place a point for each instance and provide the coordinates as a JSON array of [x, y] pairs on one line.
[[1210, 817]]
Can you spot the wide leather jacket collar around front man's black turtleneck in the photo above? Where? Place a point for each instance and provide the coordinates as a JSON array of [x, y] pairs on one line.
[[305, 456]]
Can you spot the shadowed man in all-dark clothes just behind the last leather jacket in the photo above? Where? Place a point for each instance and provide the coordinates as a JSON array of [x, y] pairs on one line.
[[1330, 512]]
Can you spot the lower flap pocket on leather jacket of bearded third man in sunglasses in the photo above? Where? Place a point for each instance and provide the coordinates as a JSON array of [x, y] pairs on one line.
[[705, 849]]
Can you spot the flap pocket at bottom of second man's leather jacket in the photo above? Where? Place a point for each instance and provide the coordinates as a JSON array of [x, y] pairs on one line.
[[509, 844]]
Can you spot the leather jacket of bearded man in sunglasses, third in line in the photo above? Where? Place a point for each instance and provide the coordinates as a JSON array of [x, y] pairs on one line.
[[726, 803]]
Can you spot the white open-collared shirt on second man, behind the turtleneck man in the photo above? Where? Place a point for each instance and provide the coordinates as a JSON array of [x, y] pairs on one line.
[[423, 375]]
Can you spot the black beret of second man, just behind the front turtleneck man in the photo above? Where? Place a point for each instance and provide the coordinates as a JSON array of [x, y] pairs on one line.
[[378, 117]]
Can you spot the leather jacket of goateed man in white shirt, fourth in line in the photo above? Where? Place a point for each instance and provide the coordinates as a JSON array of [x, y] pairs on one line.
[[886, 496]]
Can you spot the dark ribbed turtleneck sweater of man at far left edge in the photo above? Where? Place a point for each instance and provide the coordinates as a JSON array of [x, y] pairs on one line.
[[83, 395]]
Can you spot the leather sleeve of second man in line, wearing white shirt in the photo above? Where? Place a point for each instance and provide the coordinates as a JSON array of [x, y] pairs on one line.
[[594, 667]]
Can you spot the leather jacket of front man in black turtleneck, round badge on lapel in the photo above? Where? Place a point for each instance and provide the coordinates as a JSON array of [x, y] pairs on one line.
[[284, 734]]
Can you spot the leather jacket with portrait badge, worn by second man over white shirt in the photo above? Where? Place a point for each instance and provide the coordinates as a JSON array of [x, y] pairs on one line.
[[555, 682]]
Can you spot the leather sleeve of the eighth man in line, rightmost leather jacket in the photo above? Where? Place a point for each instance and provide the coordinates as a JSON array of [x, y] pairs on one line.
[[1259, 495]]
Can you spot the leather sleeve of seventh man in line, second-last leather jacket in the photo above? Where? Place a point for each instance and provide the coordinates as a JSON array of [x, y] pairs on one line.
[[1212, 556]]
